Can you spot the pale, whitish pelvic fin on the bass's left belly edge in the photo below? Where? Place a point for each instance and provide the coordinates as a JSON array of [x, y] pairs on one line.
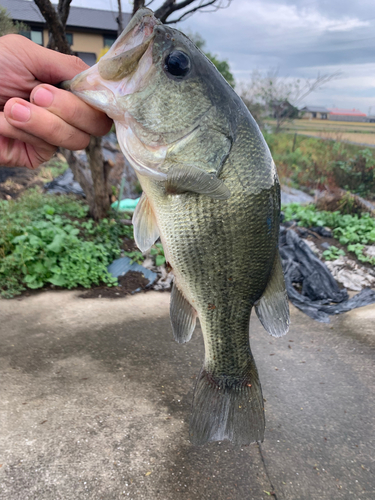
[[146, 231]]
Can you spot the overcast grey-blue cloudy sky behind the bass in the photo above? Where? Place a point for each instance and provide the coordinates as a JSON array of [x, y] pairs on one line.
[[299, 37]]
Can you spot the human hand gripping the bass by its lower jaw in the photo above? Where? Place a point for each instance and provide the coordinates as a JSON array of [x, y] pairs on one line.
[[30, 132]]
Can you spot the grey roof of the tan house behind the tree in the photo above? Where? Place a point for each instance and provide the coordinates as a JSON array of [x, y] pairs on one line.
[[79, 17]]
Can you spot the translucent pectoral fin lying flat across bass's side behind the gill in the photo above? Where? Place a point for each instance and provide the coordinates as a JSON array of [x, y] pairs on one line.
[[182, 178]]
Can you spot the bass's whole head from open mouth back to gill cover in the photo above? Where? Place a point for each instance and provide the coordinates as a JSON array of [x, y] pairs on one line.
[[155, 84]]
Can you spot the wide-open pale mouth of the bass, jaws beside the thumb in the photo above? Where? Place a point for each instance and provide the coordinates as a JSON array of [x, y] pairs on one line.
[[123, 70]]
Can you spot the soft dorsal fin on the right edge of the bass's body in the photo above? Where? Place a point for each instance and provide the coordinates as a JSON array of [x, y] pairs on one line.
[[273, 307]]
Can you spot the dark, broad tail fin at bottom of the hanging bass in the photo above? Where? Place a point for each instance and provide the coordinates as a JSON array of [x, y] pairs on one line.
[[227, 408]]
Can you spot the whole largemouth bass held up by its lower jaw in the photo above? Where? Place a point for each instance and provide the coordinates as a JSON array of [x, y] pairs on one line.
[[211, 192]]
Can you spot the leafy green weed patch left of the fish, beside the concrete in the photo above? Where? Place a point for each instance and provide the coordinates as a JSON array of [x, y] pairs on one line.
[[49, 240]]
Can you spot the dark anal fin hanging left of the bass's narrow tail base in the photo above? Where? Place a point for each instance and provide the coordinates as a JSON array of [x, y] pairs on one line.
[[183, 316]]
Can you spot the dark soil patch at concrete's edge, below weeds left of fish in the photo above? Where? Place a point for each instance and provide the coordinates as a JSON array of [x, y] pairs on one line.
[[133, 281]]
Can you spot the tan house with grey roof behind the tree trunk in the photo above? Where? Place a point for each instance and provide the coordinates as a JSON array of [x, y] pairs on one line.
[[87, 30]]
